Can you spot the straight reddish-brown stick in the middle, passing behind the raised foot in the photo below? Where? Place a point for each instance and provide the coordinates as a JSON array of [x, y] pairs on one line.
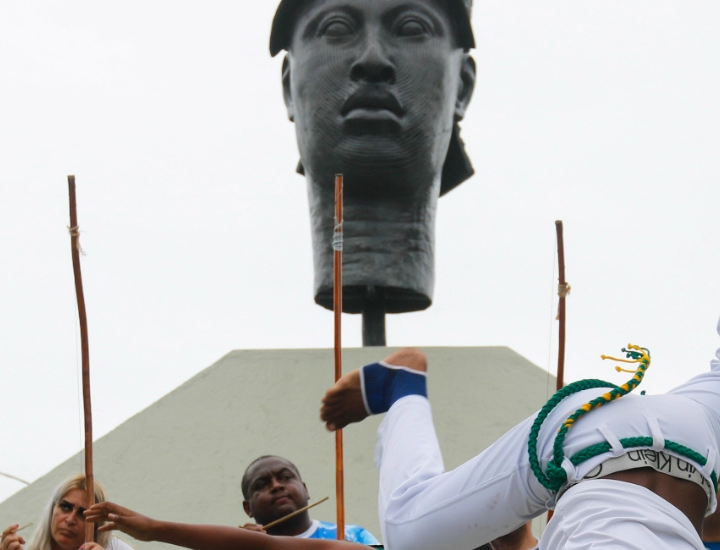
[[337, 309]]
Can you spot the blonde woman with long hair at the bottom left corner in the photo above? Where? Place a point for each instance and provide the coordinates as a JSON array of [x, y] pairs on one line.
[[62, 524]]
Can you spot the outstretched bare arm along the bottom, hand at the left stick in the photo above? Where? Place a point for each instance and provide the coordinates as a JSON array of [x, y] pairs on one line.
[[201, 537]]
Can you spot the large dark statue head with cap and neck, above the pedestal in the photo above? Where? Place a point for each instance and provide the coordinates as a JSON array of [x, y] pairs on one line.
[[376, 89]]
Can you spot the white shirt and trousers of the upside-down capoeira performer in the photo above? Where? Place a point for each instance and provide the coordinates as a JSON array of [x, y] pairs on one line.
[[422, 507]]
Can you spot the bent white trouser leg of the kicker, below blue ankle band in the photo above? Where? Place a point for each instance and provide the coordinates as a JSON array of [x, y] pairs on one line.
[[421, 507]]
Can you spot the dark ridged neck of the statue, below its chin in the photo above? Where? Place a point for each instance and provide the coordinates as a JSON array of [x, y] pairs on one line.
[[388, 242]]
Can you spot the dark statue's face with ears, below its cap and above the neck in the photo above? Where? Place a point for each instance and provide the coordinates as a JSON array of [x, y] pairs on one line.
[[374, 87]]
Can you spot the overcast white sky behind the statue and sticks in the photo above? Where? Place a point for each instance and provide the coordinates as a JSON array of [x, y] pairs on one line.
[[602, 113]]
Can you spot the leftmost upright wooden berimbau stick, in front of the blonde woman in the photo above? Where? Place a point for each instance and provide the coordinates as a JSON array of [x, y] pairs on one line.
[[87, 409]]
